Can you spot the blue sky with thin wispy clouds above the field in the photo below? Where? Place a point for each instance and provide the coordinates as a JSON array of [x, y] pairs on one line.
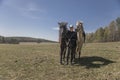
[[39, 18]]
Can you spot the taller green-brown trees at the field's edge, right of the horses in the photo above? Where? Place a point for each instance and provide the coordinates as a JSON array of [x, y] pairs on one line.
[[110, 33]]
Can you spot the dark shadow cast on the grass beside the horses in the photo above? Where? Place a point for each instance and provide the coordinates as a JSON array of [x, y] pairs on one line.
[[92, 62]]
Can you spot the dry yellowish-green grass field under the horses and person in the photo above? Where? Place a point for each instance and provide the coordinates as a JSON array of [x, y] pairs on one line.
[[99, 61]]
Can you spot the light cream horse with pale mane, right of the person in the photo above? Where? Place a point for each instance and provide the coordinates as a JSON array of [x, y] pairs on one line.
[[80, 37]]
